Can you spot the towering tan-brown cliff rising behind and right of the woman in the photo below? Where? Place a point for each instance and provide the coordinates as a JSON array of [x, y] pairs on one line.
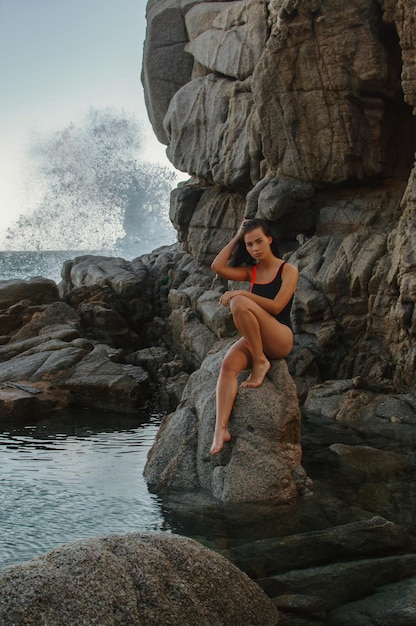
[[301, 113]]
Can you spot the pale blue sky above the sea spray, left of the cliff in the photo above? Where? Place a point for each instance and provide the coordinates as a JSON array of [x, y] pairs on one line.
[[58, 58]]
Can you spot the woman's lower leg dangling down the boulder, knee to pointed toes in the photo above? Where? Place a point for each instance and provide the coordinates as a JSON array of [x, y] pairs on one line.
[[236, 360]]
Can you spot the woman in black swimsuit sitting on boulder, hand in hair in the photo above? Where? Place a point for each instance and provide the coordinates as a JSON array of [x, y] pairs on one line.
[[261, 315]]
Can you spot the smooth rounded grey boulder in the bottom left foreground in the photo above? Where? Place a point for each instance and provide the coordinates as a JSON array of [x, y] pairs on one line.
[[153, 579]]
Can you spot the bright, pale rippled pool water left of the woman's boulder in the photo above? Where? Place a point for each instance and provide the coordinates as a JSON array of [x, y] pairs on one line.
[[72, 477]]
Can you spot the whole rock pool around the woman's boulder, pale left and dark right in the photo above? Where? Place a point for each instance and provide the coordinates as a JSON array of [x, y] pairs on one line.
[[81, 475]]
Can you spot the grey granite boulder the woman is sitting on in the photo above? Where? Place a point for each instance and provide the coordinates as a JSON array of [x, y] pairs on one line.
[[263, 460]]
